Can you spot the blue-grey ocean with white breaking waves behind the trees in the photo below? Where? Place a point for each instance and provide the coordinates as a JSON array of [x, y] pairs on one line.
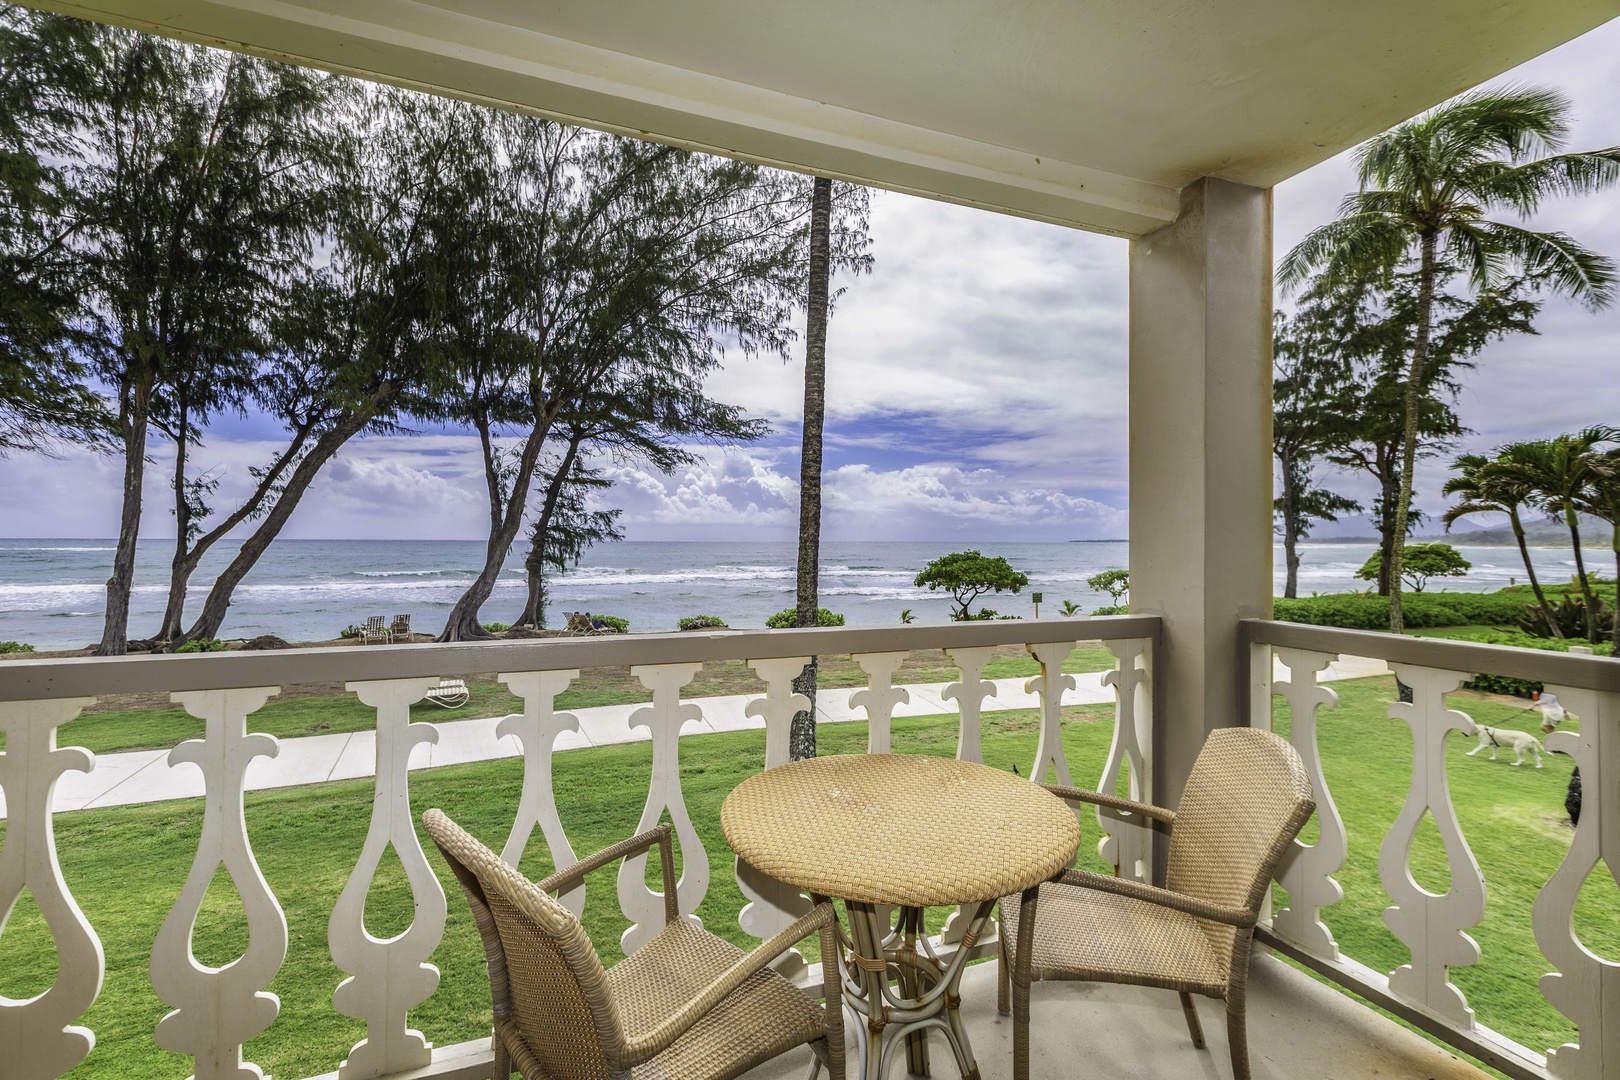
[[51, 590]]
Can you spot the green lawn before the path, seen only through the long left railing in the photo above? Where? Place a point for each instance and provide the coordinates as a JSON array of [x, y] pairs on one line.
[[127, 865]]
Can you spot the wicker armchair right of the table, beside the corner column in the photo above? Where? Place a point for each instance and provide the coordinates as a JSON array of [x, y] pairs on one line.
[[1245, 804]]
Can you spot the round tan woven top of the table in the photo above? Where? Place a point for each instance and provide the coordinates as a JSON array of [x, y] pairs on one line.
[[900, 830]]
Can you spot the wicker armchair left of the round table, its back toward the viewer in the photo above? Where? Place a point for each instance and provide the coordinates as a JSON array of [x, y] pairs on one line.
[[686, 1006]]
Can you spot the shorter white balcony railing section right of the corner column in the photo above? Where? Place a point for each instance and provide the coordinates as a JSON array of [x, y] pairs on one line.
[[1435, 925]]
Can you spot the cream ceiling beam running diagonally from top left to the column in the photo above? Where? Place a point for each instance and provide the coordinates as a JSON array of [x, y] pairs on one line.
[[454, 54]]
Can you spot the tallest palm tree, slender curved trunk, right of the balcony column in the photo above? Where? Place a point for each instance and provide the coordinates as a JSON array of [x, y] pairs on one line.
[[1430, 185]]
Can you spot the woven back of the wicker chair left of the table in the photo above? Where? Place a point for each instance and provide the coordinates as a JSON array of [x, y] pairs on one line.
[[540, 961]]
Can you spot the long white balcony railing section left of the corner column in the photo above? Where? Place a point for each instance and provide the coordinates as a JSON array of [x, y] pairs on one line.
[[216, 1010]]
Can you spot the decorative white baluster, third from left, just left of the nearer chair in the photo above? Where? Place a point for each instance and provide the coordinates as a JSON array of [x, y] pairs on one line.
[[391, 977]]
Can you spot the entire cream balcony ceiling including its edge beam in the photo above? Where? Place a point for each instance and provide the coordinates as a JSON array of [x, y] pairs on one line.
[[1083, 113]]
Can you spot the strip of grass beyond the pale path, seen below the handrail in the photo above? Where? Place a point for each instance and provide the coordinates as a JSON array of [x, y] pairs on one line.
[[119, 729]]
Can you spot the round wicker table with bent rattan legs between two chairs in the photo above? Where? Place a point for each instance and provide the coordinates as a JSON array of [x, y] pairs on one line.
[[906, 831]]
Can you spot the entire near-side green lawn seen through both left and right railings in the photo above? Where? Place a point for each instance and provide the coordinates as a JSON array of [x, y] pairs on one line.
[[127, 865]]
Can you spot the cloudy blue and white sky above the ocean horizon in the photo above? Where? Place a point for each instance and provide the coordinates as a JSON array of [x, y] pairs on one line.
[[976, 393]]
